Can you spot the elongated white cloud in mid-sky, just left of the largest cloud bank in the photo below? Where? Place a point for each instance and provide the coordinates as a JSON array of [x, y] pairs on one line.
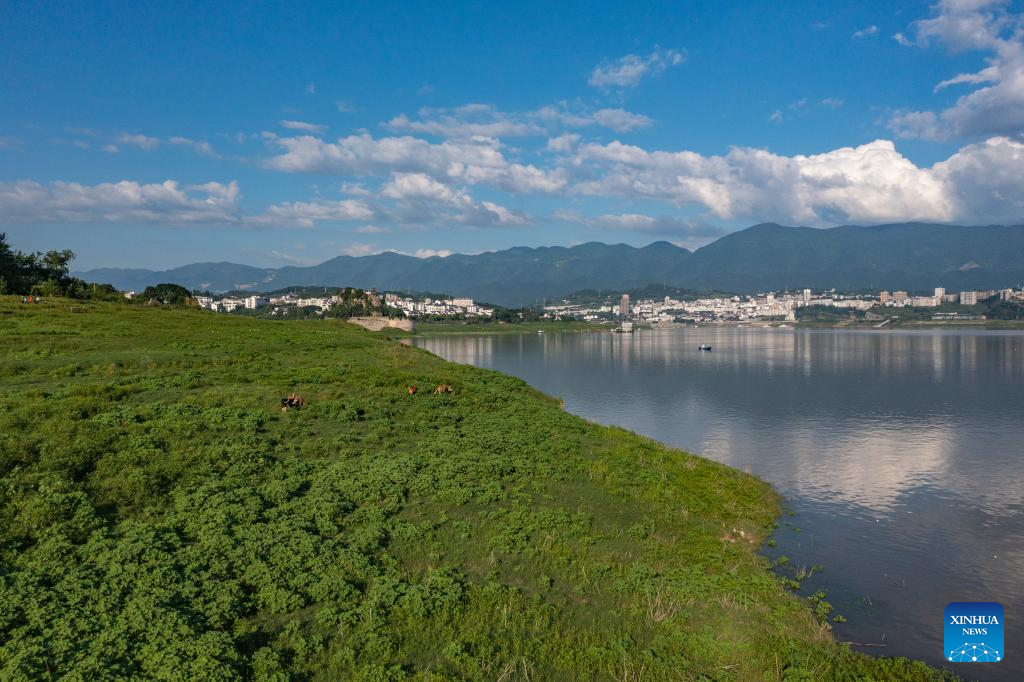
[[478, 161]]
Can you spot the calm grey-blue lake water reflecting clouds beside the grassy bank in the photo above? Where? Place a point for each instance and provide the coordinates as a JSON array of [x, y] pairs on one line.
[[901, 454]]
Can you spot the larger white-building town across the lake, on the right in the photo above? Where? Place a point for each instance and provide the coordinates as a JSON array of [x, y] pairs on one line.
[[773, 307]]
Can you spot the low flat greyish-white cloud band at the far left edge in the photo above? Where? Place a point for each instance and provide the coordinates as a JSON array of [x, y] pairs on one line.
[[27, 202]]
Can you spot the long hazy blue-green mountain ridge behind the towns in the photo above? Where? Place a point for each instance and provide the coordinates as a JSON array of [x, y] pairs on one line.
[[767, 257]]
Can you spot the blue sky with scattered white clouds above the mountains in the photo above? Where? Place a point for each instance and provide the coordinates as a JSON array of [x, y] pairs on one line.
[[153, 136]]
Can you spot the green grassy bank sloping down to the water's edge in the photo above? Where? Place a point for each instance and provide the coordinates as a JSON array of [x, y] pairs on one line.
[[161, 518]]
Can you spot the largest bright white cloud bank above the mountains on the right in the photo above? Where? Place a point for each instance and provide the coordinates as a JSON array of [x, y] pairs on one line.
[[871, 184]]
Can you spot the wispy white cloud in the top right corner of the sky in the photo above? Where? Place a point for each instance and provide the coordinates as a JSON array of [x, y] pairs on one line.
[[995, 105]]
